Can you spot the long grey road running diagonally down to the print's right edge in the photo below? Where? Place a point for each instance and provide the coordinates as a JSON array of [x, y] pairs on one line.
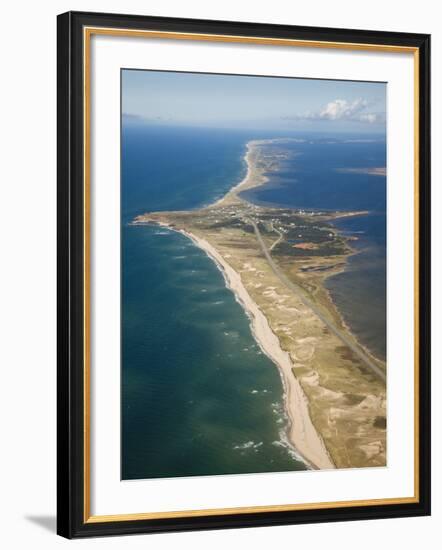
[[310, 304]]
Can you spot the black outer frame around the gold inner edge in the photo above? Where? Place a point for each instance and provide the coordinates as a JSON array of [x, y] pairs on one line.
[[72, 517]]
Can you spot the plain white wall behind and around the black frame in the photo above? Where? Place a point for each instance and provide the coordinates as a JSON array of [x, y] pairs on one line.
[[27, 272]]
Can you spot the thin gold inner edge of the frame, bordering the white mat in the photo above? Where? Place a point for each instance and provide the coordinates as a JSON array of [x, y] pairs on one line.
[[134, 33]]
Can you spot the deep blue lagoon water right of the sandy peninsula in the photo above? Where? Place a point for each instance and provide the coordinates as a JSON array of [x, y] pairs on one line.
[[314, 177]]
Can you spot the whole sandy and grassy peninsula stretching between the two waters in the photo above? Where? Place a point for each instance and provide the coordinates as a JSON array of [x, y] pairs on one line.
[[275, 261]]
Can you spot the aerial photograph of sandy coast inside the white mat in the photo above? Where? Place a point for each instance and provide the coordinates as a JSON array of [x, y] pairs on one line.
[[253, 274]]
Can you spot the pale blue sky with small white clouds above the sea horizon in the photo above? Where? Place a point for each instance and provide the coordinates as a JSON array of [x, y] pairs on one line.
[[252, 102]]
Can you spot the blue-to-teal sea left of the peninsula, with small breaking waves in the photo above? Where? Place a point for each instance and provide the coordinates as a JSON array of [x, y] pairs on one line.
[[198, 395]]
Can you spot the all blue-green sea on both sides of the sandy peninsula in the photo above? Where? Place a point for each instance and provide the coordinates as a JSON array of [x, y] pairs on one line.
[[198, 395]]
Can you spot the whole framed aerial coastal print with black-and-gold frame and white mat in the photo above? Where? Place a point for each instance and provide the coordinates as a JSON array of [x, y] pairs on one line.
[[243, 274]]
